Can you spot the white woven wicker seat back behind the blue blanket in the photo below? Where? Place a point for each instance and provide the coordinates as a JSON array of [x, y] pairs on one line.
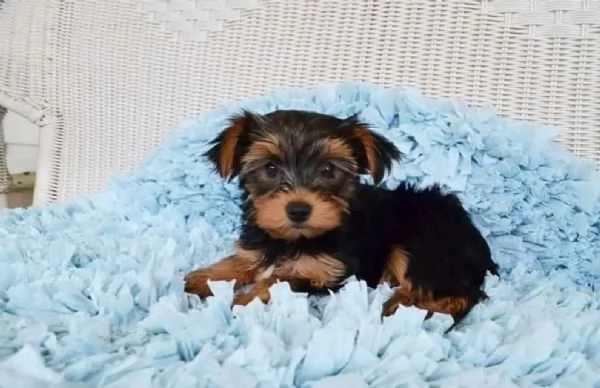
[[114, 74]]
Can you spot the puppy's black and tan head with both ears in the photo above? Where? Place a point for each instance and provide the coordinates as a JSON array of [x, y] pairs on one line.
[[299, 169]]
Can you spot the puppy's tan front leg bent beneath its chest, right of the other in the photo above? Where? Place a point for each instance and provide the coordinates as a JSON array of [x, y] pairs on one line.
[[304, 273]]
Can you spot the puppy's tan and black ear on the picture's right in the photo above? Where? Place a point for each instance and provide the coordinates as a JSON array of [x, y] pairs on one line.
[[374, 153]]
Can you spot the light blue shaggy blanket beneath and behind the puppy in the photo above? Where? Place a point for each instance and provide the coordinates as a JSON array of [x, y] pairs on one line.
[[91, 291]]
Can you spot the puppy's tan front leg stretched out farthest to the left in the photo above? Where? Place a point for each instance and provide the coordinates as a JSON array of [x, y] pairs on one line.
[[241, 267]]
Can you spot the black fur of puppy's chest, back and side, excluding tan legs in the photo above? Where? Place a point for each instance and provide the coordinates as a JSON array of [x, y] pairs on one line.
[[449, 256]]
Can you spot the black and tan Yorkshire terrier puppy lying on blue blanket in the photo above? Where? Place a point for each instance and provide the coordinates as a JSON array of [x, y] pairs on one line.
[[309, 221]]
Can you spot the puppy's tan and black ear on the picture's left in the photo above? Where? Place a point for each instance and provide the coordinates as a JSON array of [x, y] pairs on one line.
[[228, 147]]
